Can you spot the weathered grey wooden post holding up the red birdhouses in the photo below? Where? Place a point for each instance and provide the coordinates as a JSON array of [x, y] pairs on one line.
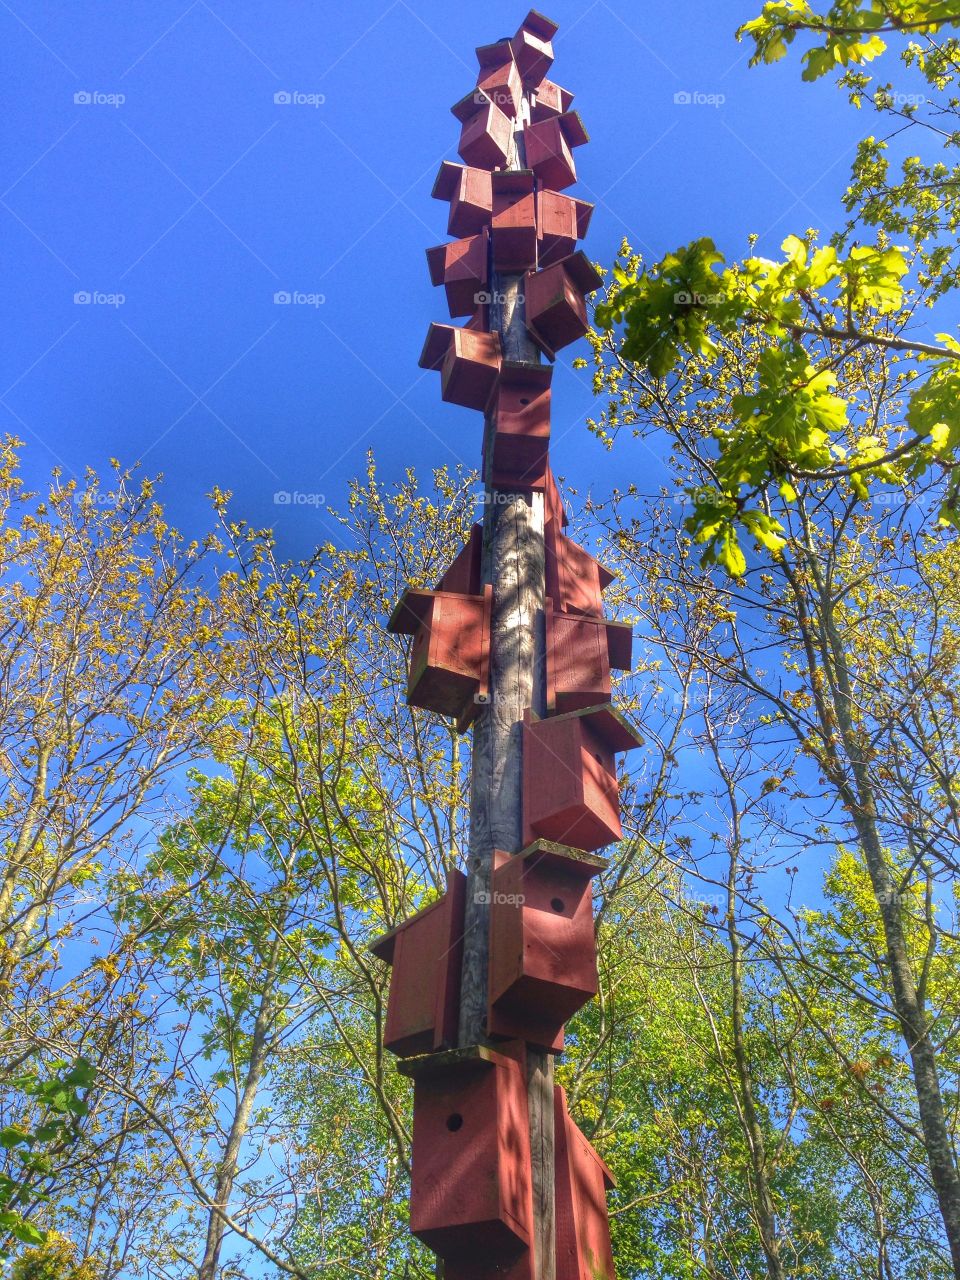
[[514, 563]]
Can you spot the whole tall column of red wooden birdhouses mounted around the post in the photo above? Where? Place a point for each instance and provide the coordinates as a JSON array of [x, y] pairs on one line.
[[472, 1197]]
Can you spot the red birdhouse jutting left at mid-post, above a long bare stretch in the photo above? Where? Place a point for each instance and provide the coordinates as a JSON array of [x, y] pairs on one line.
[[450, 660]]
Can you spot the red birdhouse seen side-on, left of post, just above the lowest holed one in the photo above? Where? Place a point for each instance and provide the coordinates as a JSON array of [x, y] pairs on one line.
[[426, 954]]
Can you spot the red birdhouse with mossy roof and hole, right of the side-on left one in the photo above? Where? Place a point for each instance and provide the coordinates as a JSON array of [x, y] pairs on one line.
[[543, 956]]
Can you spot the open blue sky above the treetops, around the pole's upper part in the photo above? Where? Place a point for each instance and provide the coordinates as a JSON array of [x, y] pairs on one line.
[[184, 188]]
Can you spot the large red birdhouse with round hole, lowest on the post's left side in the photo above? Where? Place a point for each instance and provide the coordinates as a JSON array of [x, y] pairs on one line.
[[470, 1194]]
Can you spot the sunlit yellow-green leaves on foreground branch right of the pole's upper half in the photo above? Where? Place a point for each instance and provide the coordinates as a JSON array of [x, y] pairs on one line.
[[790, 423]]
